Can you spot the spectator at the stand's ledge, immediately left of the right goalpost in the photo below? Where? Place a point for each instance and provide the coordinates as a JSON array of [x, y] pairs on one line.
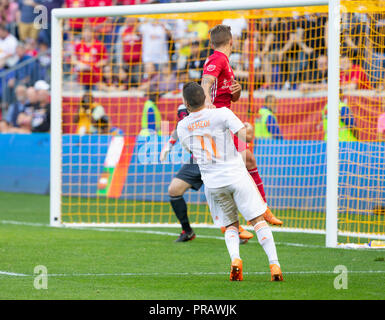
[[316, 79]]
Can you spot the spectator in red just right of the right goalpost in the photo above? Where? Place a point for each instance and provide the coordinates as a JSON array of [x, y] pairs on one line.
[[352, 76]]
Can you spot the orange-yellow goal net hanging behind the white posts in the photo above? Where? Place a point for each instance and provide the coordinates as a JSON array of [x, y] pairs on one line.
[[118, 88]]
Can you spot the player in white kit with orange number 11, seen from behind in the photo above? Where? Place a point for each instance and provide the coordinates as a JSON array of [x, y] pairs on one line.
[[206, 133]]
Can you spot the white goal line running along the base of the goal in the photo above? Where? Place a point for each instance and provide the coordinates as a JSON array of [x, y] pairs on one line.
[[129, 230]]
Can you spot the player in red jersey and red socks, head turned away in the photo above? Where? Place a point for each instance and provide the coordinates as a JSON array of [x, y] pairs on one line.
[[221, 89]]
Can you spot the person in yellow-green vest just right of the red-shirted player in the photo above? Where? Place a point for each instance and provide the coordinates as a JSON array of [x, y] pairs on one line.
[[266, 126]]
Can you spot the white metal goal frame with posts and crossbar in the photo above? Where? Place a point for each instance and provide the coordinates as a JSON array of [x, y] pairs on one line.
[[333, 93]]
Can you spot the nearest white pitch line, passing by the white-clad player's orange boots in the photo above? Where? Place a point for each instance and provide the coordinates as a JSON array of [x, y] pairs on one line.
[[143, 274]]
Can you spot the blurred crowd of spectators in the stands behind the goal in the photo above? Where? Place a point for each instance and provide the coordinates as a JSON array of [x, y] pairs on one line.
[[155, 57]]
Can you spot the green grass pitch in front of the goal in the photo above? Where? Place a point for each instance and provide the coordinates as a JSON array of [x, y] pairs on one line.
[[145, 263]]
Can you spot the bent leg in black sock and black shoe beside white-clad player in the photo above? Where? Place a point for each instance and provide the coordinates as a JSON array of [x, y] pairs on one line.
[[176, 190]]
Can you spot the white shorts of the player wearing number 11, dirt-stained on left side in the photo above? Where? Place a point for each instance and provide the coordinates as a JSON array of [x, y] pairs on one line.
[[225, 202]]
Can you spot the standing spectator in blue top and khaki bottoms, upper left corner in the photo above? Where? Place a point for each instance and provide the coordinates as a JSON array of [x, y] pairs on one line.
[[27, 16]]
